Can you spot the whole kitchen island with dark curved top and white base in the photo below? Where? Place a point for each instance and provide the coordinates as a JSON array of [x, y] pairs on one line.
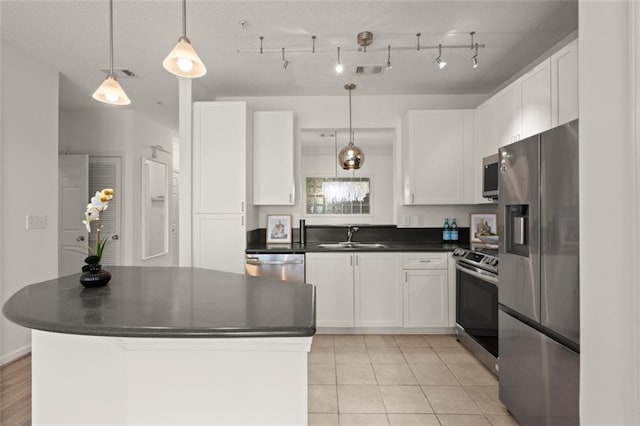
[[168, 345]]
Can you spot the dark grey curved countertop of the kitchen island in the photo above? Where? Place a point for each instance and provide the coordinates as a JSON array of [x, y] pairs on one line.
[[167, 302]]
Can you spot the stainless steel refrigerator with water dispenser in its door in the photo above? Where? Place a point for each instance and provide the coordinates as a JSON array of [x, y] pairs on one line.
[[539, 283]]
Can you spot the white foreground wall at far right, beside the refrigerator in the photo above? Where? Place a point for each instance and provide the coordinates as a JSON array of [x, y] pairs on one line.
[[609, 192]]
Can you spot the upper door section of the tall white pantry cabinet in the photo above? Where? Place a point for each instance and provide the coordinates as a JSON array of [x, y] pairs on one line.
[[221, 158]]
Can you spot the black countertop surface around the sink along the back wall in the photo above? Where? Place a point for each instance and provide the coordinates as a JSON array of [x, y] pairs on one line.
[[395, 246]]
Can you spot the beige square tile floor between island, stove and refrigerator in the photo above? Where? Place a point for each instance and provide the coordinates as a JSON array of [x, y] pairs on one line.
[[400, 380]]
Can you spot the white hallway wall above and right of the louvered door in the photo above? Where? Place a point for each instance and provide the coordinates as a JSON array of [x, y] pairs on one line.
[[127, 133]]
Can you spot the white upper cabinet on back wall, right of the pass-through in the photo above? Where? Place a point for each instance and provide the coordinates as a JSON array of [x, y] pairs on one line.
[[437, 153]]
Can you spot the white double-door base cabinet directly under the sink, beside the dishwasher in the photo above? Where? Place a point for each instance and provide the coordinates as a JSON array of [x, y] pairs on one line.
[[356, 289]]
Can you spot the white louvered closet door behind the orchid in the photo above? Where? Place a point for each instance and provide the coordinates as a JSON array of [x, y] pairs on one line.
[[106, 172]]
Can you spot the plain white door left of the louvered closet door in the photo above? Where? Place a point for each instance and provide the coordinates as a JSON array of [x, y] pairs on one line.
[[73, 187]]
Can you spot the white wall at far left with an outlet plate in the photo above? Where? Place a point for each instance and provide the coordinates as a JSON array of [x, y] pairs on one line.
[[29, 179]]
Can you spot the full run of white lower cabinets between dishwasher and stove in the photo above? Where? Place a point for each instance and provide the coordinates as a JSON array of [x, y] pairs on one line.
[[382, 289]]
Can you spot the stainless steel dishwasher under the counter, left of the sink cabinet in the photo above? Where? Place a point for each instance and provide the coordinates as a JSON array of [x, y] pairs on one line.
[[286, 267]]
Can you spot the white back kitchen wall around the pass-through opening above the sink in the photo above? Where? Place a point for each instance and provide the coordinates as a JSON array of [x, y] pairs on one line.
[[374, 112]]
